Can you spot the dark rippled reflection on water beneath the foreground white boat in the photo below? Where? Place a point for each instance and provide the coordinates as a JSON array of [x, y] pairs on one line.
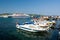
[[37, 35]]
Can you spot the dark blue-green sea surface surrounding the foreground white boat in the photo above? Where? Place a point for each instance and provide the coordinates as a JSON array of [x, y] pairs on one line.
[[8, 31]]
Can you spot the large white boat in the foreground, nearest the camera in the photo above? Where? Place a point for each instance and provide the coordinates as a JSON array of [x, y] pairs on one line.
[[34, 27]]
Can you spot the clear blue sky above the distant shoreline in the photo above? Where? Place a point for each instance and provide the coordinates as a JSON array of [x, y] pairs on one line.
[[44, 7]]
